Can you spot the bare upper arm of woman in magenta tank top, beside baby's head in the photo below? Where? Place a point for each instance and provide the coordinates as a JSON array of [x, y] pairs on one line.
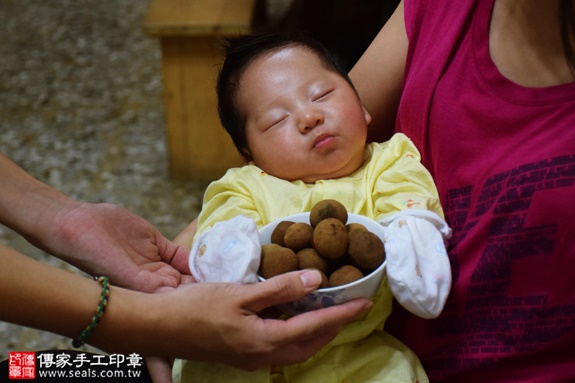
[[378, 76]]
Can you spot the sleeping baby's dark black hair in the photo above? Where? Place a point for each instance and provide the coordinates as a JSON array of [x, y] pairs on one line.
[[240, 53]]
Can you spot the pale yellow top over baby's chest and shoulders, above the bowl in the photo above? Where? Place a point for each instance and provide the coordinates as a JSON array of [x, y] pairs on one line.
[[391, 179]]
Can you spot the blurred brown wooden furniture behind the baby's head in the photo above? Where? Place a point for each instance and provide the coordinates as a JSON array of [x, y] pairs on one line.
[[190, 33]]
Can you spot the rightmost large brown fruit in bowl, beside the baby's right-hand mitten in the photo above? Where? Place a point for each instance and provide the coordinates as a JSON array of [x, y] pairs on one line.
[[366, 250]]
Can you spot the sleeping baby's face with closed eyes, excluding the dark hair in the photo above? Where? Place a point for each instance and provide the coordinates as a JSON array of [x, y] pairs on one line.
[[302, 120]]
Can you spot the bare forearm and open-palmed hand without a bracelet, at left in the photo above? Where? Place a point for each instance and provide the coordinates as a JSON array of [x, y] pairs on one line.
[[97, 238]]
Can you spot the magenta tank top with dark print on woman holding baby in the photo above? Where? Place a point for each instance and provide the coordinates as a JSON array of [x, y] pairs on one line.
[[503, 158]]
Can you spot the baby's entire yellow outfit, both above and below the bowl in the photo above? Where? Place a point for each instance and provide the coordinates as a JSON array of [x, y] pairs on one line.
[[391, 179]]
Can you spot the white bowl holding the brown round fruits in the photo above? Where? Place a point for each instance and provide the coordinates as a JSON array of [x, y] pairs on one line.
[[365, 287]]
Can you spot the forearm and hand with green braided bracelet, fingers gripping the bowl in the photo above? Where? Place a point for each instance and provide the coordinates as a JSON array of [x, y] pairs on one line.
[[206, 321]]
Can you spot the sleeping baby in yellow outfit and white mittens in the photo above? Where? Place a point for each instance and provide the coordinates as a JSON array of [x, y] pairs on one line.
[[296, 118]]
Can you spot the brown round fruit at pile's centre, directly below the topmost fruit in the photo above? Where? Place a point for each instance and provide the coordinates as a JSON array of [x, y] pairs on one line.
[[330, 238]]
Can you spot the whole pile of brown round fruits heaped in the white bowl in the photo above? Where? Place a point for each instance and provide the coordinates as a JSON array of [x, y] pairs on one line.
[[342, 252]]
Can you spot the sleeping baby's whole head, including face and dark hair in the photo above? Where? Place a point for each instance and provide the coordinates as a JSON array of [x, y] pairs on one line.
[[290, 108]]
